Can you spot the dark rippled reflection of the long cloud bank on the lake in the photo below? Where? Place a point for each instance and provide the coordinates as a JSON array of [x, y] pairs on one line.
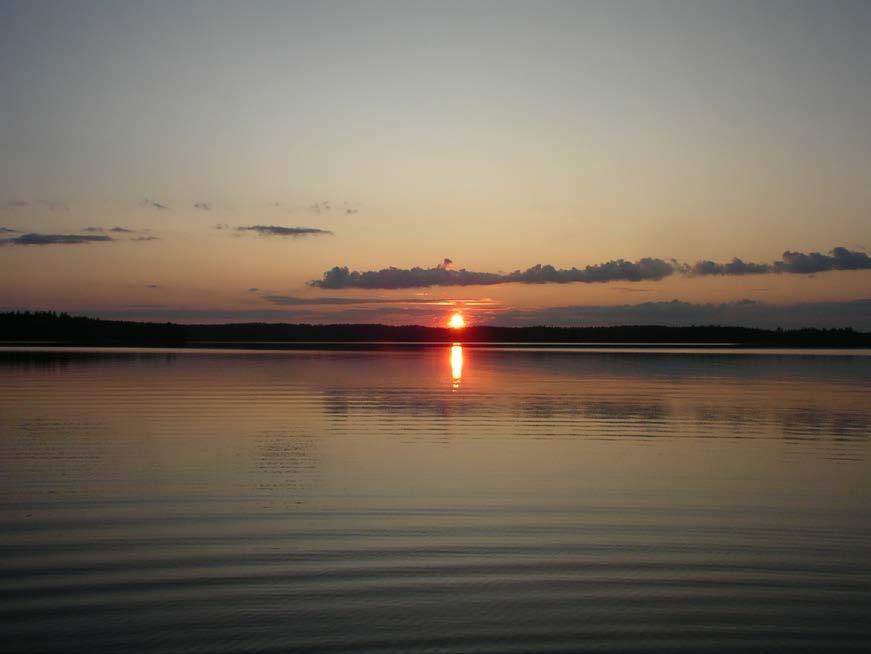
[[717, 411]]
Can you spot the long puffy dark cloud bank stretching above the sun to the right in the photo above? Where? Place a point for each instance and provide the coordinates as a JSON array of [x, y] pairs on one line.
[[646, 269]]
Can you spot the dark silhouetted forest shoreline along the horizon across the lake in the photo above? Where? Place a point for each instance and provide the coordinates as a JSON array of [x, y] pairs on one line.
[[63, 329]]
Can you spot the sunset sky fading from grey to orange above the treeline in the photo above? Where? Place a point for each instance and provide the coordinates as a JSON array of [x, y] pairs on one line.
[[236, 161]]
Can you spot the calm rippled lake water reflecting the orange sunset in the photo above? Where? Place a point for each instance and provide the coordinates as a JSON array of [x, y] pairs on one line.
[[434, 499]]
